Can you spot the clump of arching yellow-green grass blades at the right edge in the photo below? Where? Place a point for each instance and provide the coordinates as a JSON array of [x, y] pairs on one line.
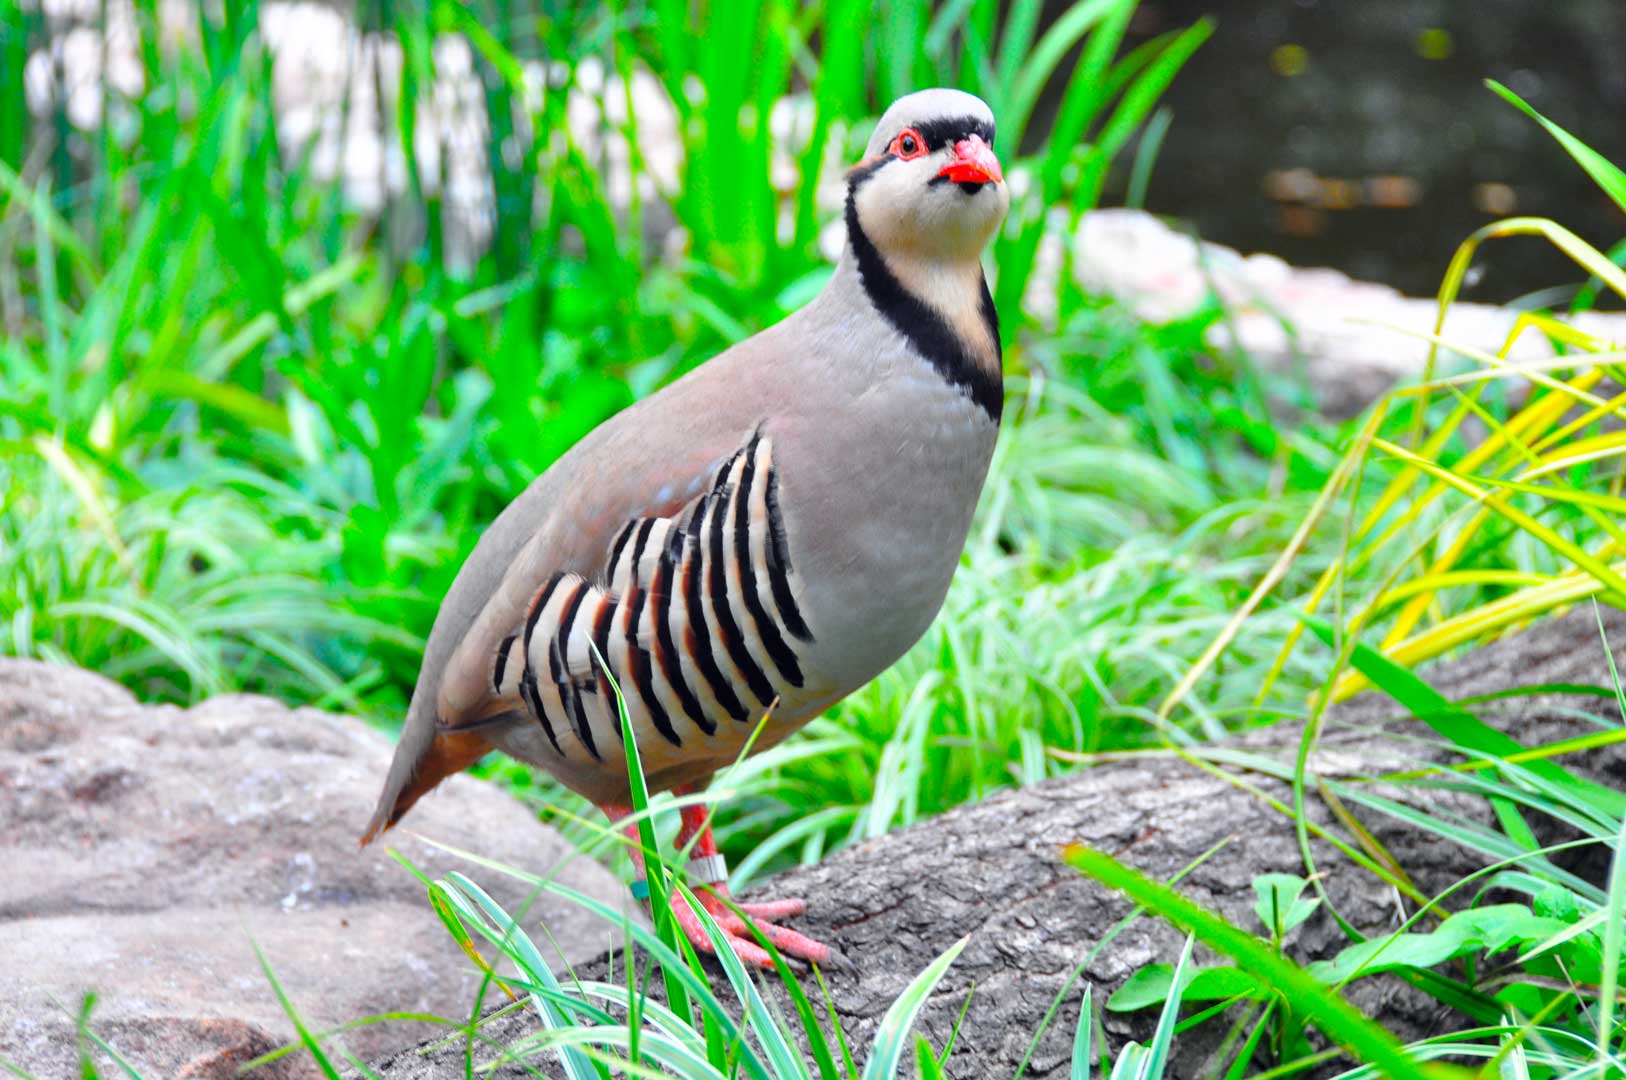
[[1472, 536]]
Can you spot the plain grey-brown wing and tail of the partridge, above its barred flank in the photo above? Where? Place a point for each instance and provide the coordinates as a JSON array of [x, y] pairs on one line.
[[637, 466]]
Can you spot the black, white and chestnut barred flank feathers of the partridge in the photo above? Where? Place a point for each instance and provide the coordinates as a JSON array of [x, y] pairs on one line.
[[693, 614]]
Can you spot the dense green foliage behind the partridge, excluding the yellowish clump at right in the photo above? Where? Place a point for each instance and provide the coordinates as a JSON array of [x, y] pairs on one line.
[[250, 433]]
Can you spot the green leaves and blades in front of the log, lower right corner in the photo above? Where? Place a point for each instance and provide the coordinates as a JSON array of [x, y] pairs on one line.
[[1526, 952]]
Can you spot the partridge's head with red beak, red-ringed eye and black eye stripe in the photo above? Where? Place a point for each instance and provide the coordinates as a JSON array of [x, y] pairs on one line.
[[929, 185]]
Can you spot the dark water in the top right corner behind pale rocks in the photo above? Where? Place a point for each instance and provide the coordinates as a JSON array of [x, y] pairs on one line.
[[1357, 134]]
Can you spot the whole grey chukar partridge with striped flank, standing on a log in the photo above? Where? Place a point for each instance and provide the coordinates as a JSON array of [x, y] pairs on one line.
[[773, 529]]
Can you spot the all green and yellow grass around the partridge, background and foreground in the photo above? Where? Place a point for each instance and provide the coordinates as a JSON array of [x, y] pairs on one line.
[[248, 433]]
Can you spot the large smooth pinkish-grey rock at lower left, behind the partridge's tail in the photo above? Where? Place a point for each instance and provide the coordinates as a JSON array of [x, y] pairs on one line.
[[149, 850]]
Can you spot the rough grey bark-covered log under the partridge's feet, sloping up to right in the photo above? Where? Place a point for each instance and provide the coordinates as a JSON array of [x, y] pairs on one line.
[[993, 873]]
